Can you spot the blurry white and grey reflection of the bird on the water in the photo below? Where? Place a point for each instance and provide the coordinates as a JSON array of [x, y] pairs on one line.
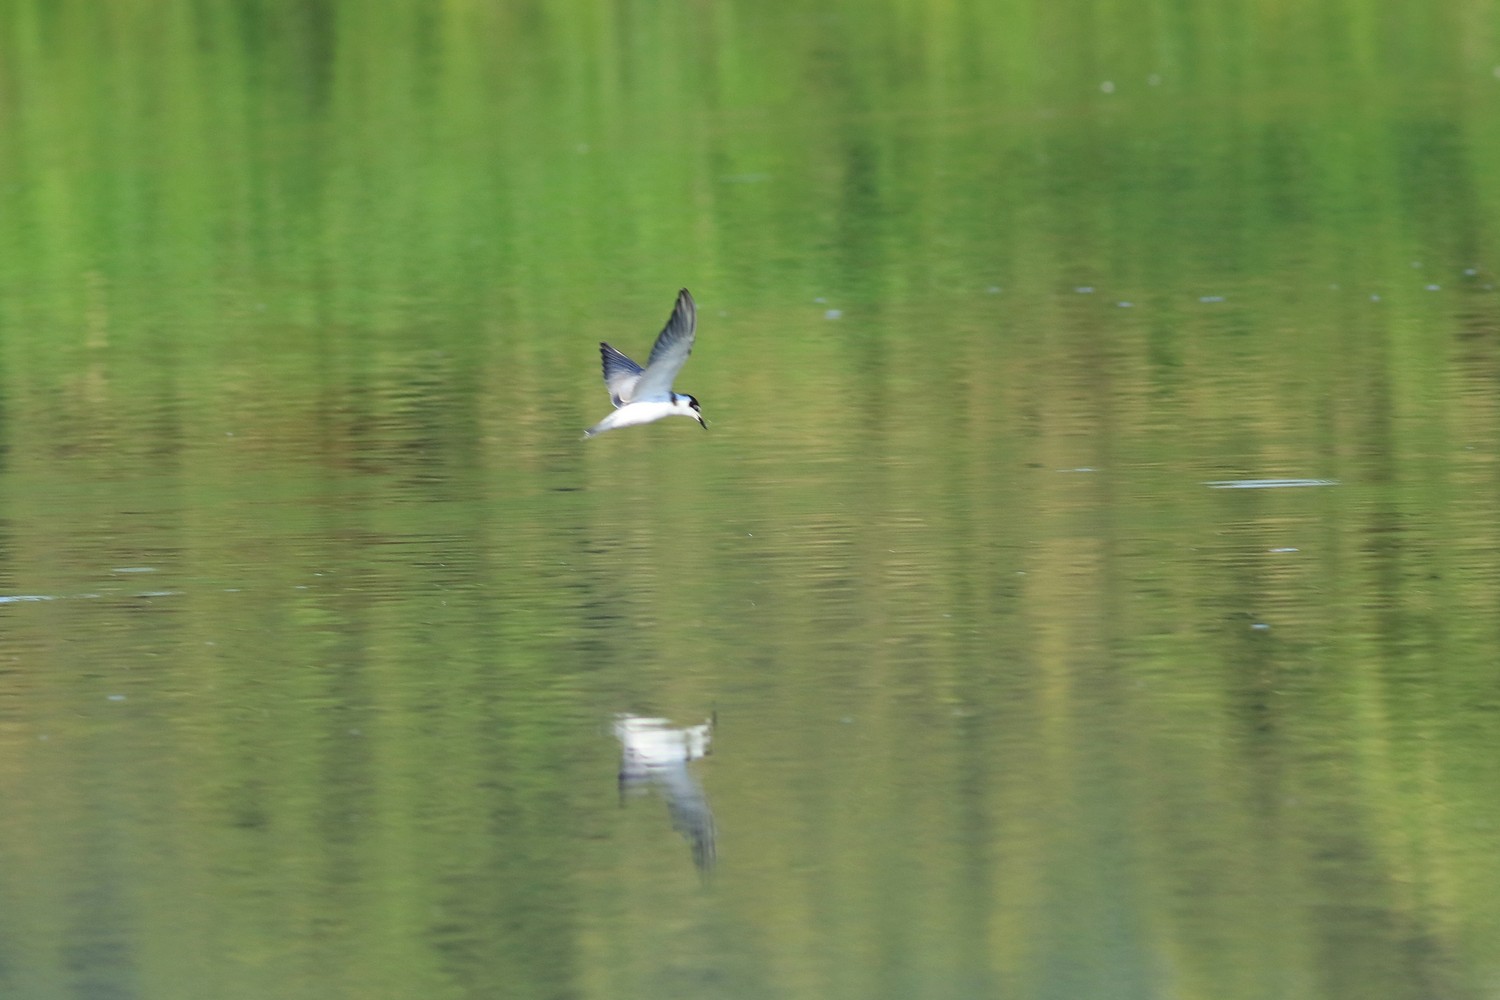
[[656, 752]]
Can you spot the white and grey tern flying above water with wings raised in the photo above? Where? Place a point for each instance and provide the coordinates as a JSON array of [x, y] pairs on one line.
[[643, 395]]
